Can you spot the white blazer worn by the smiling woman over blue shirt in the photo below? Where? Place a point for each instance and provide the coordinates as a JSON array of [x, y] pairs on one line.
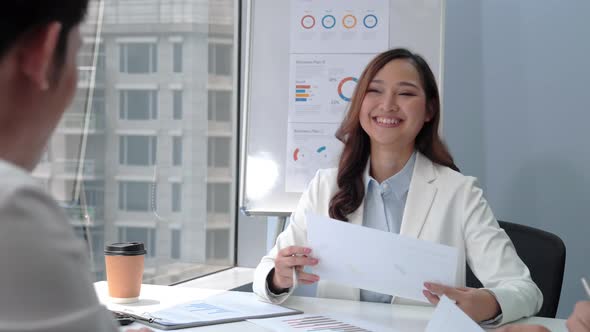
[[443, 206]]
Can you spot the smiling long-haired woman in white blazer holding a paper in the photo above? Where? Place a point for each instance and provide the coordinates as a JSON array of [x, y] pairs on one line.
[[396, 175]]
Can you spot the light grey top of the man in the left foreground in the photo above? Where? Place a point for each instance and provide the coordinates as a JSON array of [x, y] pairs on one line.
[[45, 282]]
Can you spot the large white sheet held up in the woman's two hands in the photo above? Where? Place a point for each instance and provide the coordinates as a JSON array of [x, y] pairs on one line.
[[378, 261]]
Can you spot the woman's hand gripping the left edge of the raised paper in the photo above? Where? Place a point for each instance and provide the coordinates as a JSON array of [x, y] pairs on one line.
[[289, 258]]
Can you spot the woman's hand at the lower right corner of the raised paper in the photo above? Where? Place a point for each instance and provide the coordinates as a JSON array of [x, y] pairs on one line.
[[479, 304]]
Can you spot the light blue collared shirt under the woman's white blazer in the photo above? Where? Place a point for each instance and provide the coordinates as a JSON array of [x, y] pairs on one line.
[[384, 210]]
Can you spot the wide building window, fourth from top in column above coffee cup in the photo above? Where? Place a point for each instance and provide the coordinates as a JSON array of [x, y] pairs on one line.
[[137, 196]]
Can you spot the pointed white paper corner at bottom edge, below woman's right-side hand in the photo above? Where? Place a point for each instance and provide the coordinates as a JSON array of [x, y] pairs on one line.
[[447, 317]]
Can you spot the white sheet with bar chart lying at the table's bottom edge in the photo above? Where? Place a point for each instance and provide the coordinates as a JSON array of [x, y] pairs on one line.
[[319, 322]]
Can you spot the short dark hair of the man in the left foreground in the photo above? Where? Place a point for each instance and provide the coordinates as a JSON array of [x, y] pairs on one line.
[[20, 17]]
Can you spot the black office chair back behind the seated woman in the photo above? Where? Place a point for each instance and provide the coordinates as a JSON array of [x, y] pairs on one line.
[[544, 255]]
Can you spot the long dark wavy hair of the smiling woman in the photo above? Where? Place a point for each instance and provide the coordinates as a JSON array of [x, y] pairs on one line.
[[357, 145]]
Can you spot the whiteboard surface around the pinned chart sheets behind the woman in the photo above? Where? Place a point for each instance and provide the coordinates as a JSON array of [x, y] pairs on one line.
[[414, 24]]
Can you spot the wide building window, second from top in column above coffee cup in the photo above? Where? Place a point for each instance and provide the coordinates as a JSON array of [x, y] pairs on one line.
[[138, 104]]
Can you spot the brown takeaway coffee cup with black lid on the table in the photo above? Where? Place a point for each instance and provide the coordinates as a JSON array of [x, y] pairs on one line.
[[124, 266]]
